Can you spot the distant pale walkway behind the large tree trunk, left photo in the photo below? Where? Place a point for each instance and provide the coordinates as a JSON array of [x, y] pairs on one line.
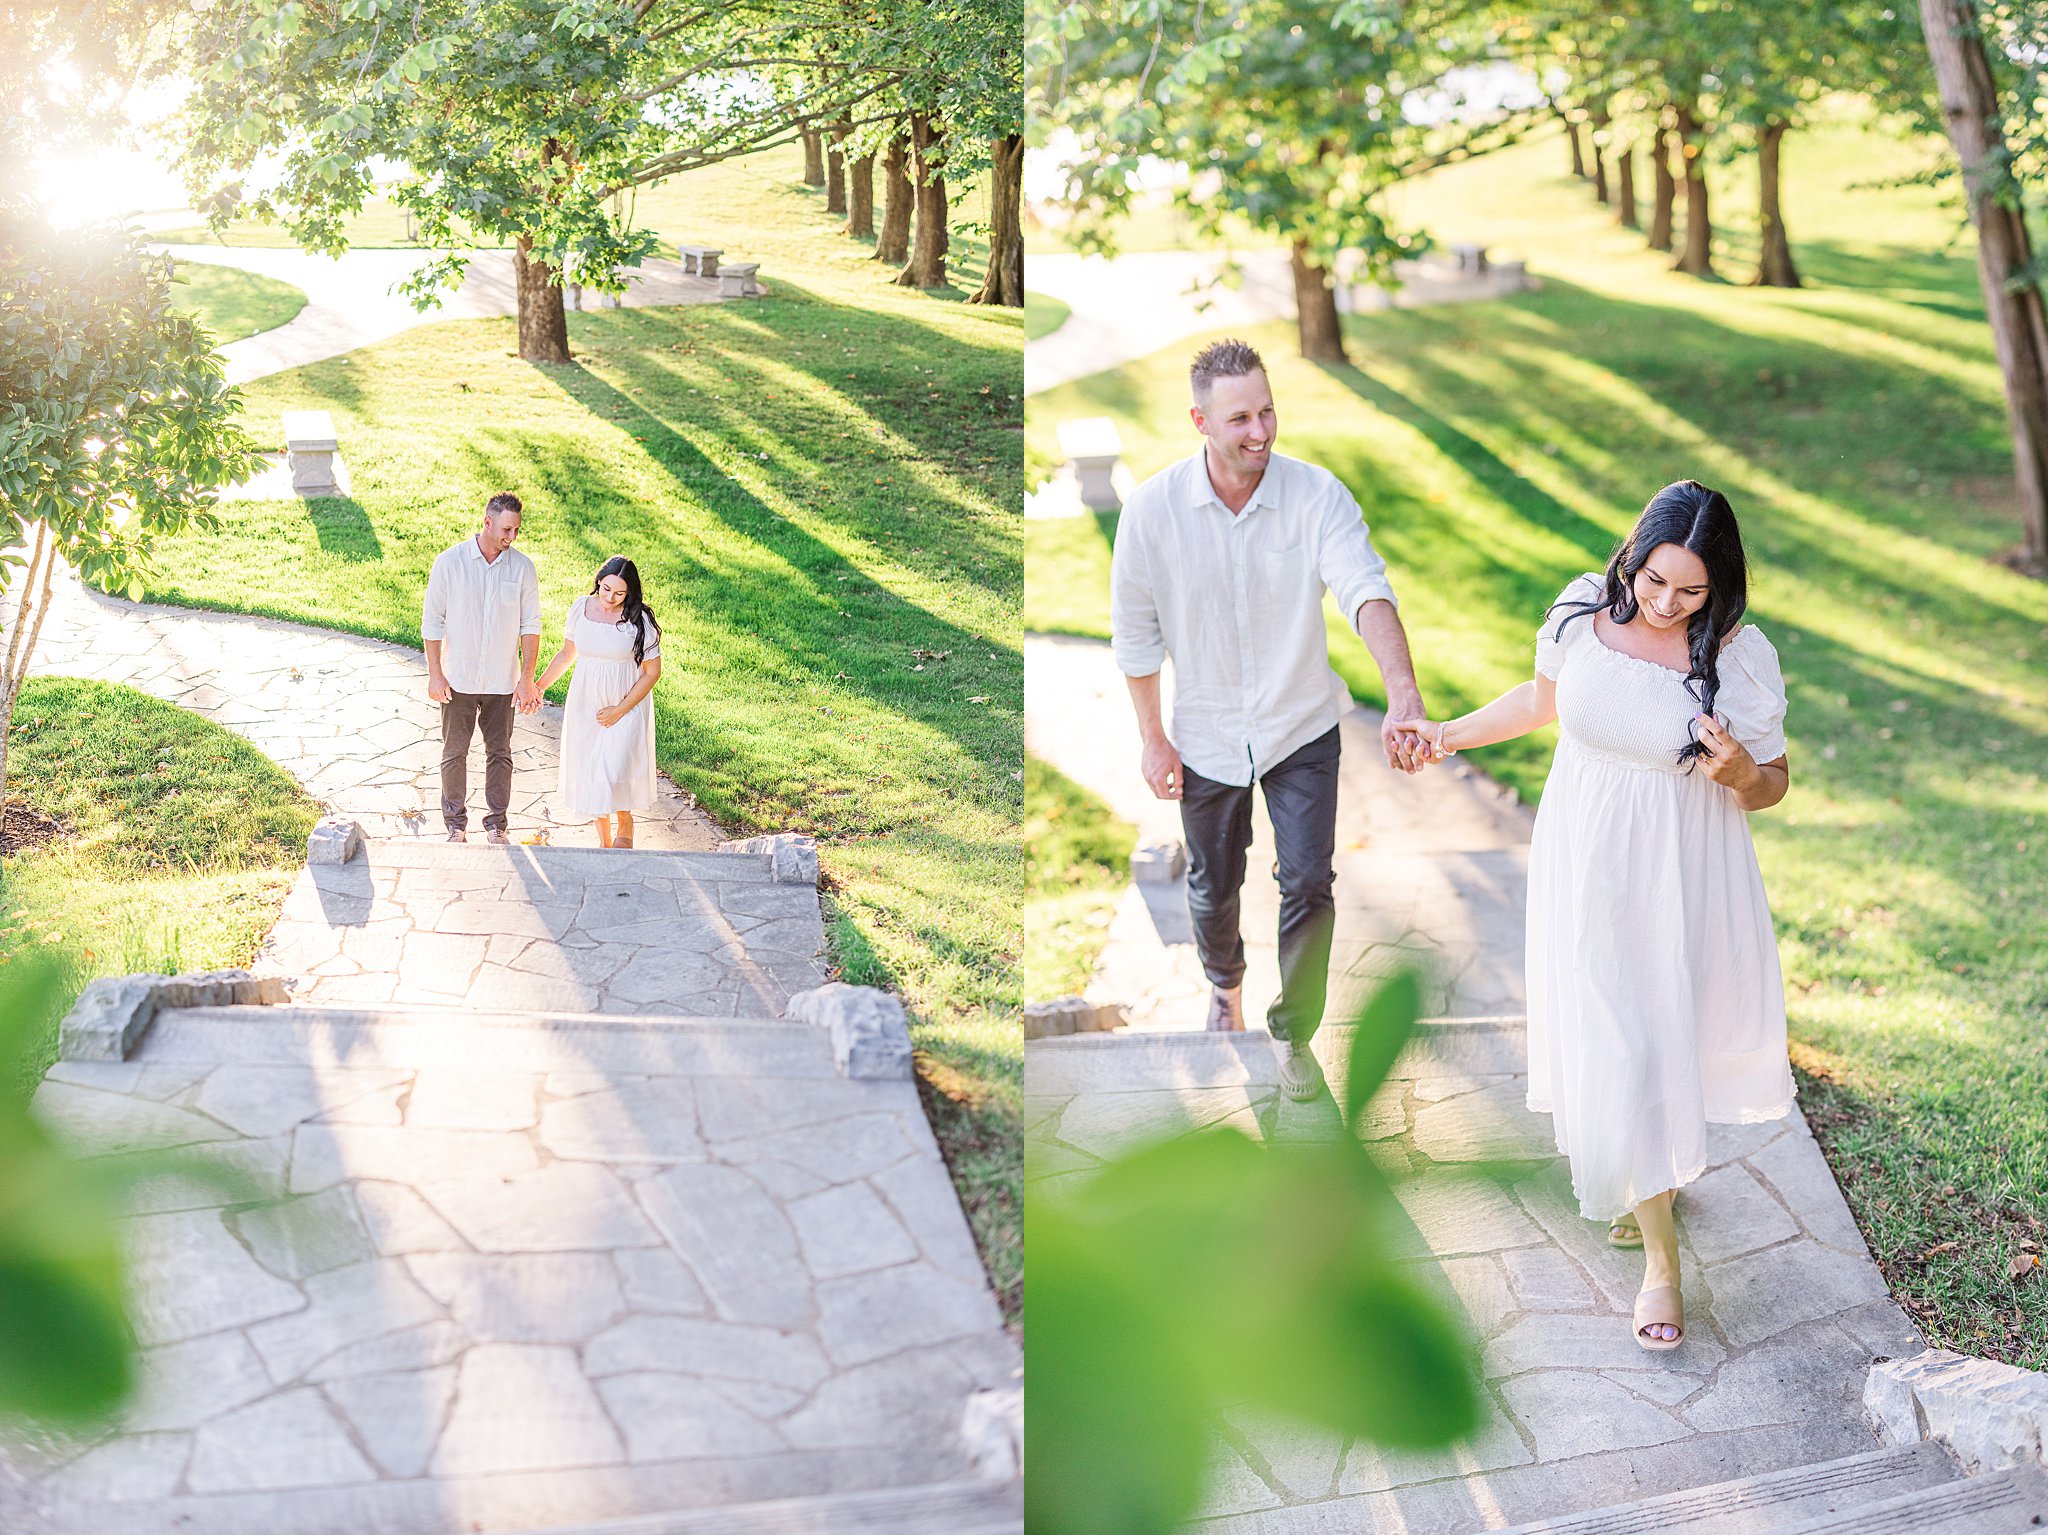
[[351, 302]]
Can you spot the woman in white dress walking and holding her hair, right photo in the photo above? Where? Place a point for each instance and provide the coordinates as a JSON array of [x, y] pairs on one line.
[[1656, 1004]]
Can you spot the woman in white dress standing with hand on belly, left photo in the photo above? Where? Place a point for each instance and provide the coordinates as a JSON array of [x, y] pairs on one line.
[[607, 732]]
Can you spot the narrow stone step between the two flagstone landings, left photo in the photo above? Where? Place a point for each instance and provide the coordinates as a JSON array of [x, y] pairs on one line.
[[421, 1037]]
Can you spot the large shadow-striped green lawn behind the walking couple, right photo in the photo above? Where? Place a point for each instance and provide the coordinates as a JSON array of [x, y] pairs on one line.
[[1861, 431]]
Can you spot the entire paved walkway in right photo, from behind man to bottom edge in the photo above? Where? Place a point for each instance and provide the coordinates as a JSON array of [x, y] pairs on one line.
[[1785, 1305]]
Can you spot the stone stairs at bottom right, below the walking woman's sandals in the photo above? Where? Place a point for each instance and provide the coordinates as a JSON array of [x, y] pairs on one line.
[[1910, 1491]]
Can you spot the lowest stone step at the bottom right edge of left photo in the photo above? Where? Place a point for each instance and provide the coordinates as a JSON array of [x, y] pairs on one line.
[[945, 1509]]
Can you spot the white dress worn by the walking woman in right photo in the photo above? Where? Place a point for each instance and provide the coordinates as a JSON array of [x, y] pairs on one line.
[[1656, 1004]]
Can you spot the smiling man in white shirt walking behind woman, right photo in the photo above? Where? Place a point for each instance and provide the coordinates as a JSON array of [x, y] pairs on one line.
[[1222, 564]]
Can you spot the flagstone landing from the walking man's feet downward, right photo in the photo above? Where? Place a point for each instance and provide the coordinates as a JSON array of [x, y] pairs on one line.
[[1785, 1307]]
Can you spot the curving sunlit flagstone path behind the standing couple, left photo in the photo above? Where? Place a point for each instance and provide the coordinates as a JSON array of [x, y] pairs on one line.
[[347, 717]]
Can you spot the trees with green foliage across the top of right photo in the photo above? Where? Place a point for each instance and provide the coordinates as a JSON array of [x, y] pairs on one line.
[[1297, 116]]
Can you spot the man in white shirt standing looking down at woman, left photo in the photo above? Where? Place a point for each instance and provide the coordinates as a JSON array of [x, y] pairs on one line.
[[482, 629]]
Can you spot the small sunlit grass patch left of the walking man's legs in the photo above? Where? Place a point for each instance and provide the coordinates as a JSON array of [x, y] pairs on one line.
[[1076, 869]]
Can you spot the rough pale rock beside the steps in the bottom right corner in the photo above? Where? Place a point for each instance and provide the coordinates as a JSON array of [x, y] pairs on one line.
[[1988, 1415]]
